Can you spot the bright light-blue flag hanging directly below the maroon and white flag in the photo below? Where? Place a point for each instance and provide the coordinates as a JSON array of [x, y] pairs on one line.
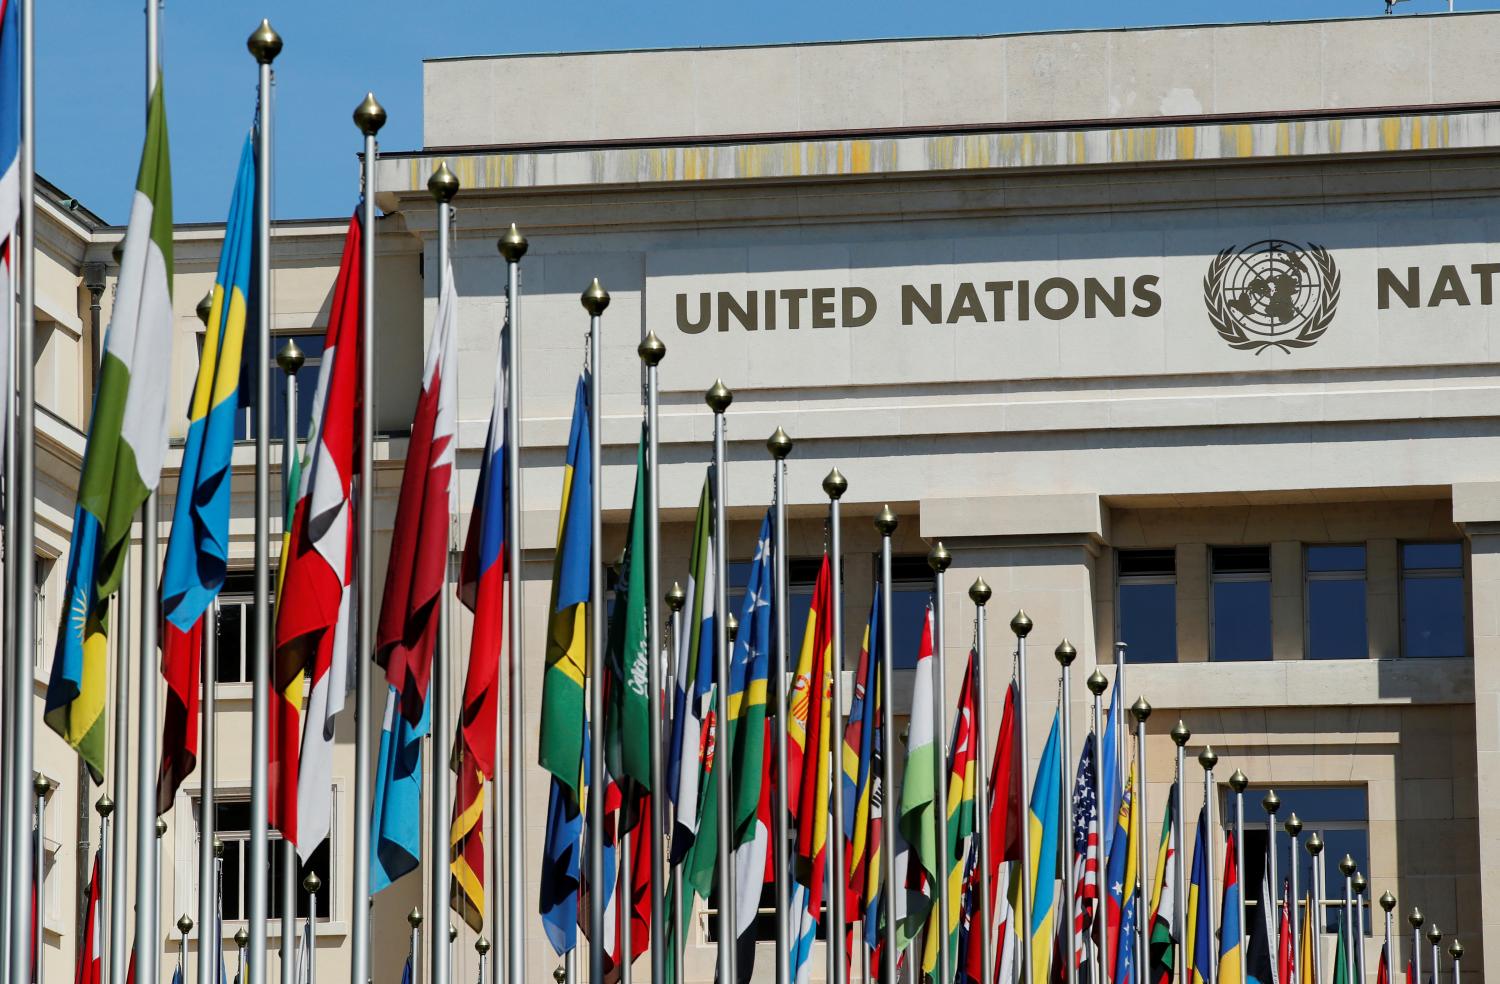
[[397, 817]]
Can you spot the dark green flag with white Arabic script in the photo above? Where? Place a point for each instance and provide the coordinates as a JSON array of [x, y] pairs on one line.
[[628, 719]]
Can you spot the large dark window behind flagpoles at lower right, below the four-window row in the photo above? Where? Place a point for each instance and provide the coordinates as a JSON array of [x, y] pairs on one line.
[[1340, 814]]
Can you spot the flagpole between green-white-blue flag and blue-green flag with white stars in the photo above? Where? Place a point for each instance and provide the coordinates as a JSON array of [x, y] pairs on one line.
[[719, 398]]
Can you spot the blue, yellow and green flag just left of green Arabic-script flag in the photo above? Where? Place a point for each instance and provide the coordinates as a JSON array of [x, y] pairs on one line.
[[562, 746]]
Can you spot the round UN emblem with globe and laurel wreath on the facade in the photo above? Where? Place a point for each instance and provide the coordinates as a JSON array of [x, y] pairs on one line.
[[1271, 295]]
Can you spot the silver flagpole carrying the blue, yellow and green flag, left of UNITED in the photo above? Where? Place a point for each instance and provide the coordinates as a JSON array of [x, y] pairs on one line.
[[595, 301]]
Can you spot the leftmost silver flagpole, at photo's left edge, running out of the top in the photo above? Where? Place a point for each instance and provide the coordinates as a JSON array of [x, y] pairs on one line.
[[23, 538]]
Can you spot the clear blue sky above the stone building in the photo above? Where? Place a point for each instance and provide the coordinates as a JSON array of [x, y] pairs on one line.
[[91, 70]]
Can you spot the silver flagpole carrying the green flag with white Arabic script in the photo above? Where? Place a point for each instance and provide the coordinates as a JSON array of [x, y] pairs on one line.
[[652, 353]]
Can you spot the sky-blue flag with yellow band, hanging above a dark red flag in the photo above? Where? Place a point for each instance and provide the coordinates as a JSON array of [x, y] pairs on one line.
[[199, 550]]
